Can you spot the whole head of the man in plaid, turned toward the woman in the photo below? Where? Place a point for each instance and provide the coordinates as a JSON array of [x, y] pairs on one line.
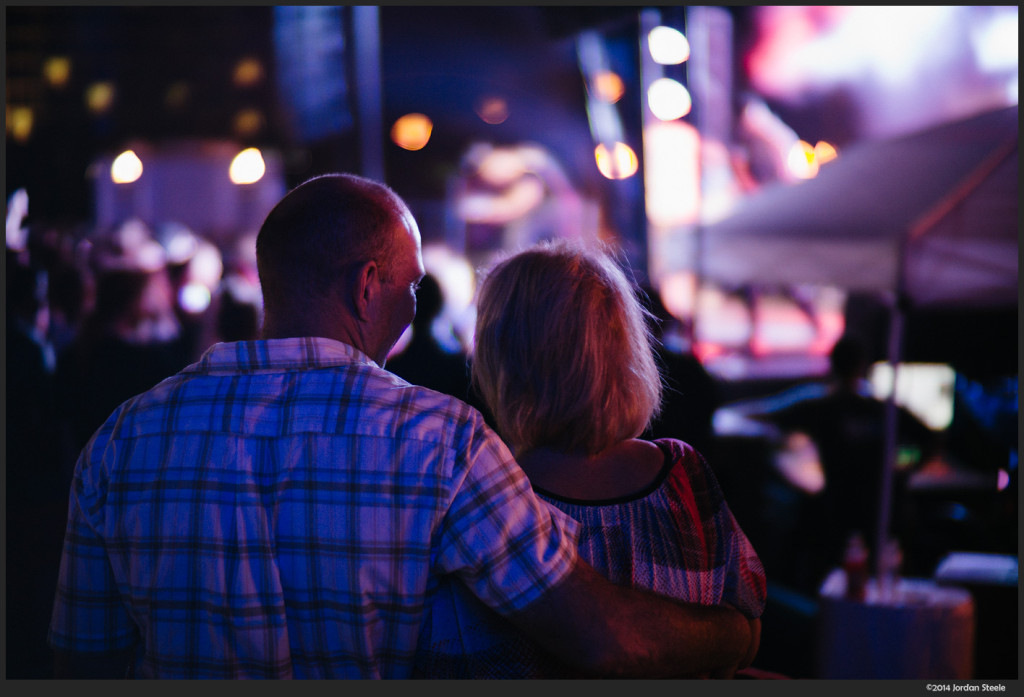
[[339, 257]]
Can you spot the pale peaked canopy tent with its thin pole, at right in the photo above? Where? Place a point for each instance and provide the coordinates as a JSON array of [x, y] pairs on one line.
[[928, 221]]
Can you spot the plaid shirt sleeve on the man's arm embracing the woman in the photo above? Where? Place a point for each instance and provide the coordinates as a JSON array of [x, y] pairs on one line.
[[507, 545]]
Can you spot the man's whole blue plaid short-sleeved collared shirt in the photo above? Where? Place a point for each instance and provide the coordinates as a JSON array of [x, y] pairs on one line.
[[286, 509]]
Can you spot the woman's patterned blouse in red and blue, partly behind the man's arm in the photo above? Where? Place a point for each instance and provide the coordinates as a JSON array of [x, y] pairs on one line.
[[677, 538]]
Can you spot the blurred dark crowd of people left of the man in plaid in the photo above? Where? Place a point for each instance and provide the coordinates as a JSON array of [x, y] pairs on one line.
[[95, 318]]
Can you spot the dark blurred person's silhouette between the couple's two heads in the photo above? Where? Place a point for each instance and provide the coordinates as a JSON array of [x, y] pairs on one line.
[[424, 362]]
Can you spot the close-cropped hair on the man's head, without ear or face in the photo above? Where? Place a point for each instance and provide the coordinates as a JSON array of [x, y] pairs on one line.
[[318, 234]]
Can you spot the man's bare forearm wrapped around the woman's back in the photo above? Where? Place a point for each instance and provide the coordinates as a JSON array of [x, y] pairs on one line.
[[613, 631]]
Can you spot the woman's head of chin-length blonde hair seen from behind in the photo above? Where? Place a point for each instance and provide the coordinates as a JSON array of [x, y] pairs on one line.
[[565, 358]]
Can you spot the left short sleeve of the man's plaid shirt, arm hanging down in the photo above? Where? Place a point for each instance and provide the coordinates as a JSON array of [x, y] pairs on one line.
[[90, 615]]
